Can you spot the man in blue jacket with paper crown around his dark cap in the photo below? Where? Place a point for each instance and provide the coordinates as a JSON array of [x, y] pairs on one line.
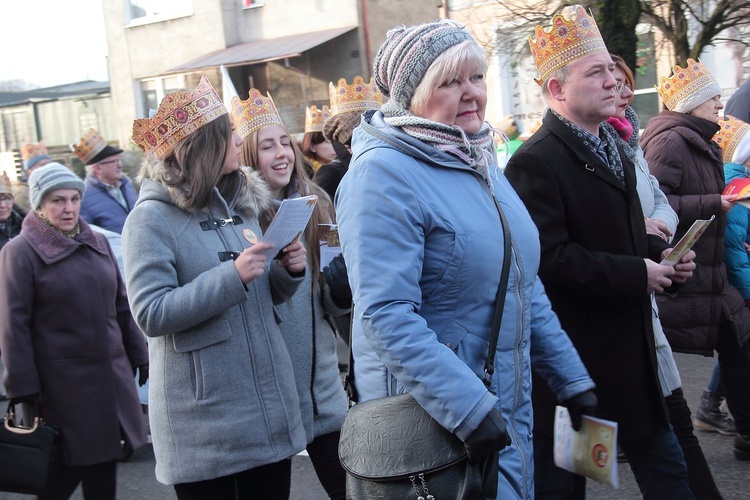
[[110, 195]]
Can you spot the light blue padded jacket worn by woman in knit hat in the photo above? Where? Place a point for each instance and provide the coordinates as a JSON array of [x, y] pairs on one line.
[[423, 245]]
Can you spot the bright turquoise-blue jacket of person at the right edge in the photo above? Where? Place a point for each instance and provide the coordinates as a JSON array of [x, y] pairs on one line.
[[736, 257]]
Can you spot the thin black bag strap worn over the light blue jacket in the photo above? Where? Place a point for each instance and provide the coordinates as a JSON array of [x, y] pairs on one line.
[[497, 318]]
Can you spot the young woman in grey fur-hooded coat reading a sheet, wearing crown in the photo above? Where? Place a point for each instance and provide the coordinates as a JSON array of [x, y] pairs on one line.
[[223, 404]]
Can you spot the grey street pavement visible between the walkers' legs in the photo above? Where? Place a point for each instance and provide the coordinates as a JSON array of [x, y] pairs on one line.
[[136, 479]]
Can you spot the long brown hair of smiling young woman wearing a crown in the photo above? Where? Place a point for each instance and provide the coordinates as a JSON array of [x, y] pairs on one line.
[[323, 212]]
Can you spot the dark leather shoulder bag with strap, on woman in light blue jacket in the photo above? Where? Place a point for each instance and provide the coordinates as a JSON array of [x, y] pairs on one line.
[[392, 449]]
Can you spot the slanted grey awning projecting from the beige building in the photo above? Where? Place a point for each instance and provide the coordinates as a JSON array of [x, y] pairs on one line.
[[262, 50]]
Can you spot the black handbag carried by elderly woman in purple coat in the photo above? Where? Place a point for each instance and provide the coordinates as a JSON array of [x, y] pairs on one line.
[[29, 456]]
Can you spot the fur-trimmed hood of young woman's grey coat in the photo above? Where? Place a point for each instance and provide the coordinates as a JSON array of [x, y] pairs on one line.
[[252, 199]]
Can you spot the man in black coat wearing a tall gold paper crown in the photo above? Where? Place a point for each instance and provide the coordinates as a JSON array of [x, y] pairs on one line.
[[598, 265]]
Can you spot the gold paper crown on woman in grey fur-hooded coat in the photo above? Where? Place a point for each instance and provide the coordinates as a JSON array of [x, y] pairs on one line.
[[179, 115]]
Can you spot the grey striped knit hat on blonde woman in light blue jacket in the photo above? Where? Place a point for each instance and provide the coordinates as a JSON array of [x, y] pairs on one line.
[[407, 53]]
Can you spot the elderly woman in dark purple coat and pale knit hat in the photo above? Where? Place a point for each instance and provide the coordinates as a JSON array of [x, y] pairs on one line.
[[68, 341]]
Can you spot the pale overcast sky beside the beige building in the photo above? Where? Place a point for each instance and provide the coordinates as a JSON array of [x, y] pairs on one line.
[[52, 42]]
